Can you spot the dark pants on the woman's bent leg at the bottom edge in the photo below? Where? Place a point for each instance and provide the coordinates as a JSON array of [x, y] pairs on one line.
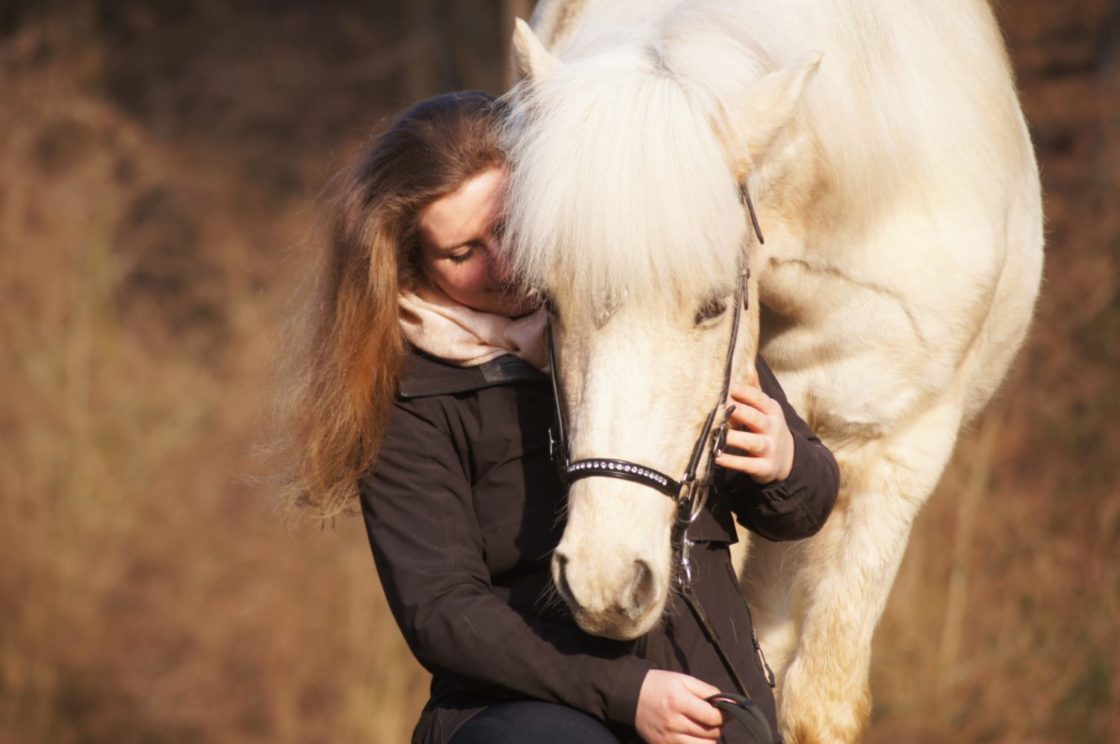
[[533, 722]]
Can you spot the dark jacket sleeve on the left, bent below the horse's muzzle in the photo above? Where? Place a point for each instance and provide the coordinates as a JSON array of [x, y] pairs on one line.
[[428, 550]]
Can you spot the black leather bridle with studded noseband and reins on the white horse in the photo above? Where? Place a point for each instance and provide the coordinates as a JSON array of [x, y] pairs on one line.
[[689, 495]]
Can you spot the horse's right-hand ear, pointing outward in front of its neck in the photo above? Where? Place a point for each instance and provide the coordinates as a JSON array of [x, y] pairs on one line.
[[767, 108]]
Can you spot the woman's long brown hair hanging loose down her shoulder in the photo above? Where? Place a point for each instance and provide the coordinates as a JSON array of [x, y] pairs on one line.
[[349, 348]]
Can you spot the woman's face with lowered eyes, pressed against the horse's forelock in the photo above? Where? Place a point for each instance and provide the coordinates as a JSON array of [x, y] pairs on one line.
[[459, 247]]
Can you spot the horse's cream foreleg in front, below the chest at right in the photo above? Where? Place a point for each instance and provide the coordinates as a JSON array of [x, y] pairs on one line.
[[843, 576]]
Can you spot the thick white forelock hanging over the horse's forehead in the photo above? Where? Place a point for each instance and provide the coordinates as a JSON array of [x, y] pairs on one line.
[[619, 185]]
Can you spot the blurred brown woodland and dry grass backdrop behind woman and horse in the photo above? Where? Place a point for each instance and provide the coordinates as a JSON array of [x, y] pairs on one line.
[[160, 163]]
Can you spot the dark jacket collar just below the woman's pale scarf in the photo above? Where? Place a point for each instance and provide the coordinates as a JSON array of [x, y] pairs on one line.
[[425, 376]]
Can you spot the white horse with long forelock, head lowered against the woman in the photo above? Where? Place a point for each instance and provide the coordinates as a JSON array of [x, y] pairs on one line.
[[885, 148]]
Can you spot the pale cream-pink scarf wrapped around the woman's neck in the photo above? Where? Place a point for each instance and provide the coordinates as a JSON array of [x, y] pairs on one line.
[[438, 325]]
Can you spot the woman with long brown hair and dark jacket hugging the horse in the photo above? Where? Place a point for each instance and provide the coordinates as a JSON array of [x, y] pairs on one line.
[[423, 395]]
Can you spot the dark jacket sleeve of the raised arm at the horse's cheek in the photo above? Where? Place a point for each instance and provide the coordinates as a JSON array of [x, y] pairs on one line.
[[797, 507]]
